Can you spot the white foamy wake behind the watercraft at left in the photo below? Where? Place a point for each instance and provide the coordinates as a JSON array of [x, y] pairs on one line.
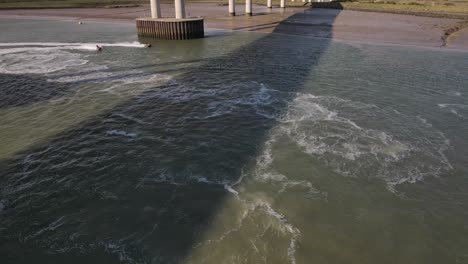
[[51, 58]]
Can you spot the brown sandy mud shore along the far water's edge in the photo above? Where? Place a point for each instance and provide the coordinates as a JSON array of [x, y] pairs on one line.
[[328, 23]]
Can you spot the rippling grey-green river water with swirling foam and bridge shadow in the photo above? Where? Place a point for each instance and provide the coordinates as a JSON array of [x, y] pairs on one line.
[[238, 148]]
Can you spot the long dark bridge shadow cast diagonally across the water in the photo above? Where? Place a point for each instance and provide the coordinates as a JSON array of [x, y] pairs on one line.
[[80, 198]]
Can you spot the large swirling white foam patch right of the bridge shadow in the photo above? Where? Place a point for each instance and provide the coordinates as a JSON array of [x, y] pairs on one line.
[[318, 127]]
